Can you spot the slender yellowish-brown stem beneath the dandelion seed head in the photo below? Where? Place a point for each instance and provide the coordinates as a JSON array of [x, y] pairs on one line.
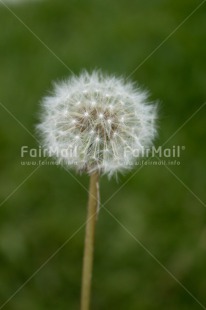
[[89, 241]]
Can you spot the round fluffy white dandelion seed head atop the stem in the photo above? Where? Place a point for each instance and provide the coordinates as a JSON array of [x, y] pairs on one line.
[[94, 122]]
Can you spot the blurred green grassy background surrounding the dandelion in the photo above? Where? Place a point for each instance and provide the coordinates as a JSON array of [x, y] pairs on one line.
[[43, 212]]
